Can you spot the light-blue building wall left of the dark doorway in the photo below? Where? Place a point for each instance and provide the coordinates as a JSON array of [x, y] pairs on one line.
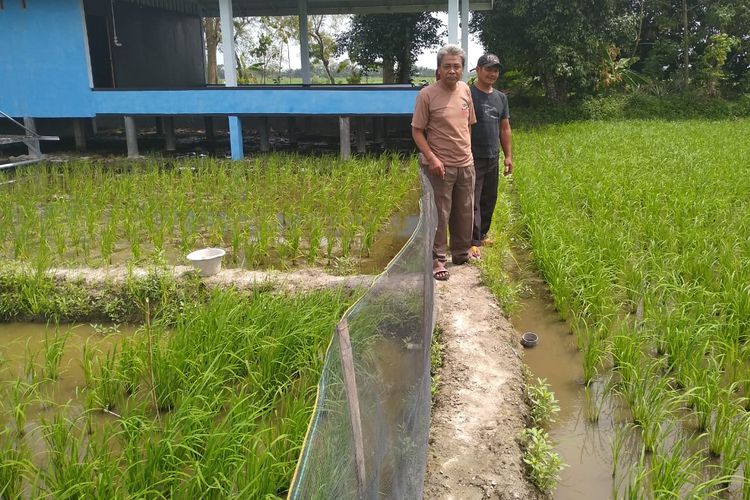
[[43, 66]]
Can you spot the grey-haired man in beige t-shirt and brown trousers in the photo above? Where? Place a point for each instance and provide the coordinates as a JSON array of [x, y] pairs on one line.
[[441, 128]]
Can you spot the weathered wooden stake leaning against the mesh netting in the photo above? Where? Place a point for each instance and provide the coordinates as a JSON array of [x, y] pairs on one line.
[[350, 384]]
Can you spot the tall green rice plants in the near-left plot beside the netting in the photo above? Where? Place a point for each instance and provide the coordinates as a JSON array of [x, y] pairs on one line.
[[209, 398]]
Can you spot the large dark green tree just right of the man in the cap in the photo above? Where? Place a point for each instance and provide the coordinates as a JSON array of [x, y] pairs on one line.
[[560, 43]]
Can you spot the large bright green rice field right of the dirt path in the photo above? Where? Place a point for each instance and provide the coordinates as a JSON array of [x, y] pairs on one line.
[[642, 232]]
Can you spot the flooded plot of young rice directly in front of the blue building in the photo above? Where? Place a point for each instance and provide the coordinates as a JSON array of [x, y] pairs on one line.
[[273, 211]]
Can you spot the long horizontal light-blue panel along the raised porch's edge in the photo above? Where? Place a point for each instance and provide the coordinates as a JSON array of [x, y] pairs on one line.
[[256, 101]]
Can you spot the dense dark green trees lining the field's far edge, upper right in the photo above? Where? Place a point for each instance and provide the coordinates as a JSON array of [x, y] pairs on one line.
[[579, 48]]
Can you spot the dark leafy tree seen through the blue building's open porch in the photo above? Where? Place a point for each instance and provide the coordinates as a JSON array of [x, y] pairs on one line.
[[407, 36]]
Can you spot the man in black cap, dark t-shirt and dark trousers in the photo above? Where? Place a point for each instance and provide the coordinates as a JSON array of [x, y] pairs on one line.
[[490, 133]]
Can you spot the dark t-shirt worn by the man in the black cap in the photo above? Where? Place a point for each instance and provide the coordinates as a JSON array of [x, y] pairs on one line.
[[485, 134]]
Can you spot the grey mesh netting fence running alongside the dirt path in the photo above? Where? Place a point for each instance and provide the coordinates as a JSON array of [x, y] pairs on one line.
[[390, 329]]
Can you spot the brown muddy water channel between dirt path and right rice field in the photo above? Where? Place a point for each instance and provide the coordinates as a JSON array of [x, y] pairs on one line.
[[584, 445]]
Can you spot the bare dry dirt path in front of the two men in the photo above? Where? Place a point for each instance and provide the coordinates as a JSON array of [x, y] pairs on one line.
[[479, 411]]
